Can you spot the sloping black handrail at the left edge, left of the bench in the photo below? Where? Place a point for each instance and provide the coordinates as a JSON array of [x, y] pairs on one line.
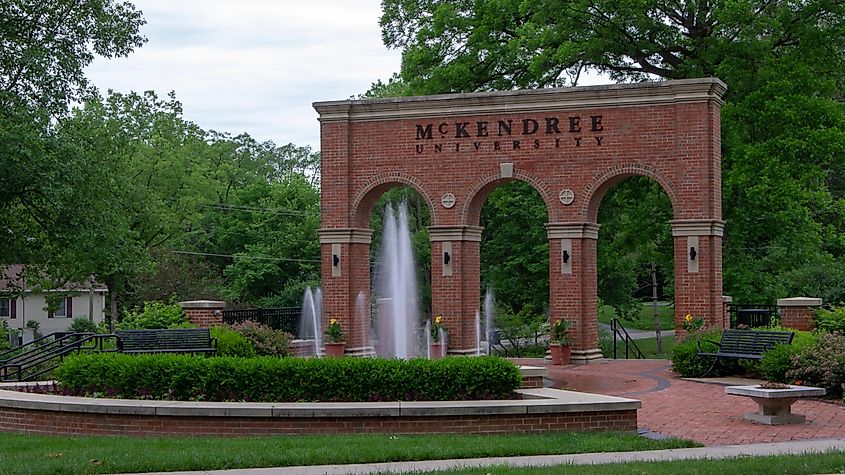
[[13, 369]]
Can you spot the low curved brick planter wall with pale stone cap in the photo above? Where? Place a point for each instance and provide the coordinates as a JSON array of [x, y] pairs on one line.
[[541, 410]]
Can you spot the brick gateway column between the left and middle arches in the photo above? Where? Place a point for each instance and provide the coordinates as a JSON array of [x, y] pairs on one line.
[[456, 283]]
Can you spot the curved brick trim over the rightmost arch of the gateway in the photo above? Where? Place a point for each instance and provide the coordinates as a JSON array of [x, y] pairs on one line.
[[594, 190]]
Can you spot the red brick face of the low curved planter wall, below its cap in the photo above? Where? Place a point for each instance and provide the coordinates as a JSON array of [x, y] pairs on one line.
[[49, 422]]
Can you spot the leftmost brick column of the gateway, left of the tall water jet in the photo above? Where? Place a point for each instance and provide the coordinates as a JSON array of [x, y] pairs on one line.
[[346, 274]]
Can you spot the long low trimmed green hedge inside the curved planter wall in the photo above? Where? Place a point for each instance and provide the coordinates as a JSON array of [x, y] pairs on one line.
[[268, 379]]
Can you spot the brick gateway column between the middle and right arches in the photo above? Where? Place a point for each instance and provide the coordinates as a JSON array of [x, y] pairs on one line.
[[573, 287]]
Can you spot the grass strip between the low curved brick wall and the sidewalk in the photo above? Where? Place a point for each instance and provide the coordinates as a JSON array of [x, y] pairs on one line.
[[29, 454]]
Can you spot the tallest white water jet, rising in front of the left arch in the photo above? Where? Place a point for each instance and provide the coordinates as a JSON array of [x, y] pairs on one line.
[[396, 289]]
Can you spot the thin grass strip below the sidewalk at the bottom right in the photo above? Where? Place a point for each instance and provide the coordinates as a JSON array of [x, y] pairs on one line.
[[783, 464]]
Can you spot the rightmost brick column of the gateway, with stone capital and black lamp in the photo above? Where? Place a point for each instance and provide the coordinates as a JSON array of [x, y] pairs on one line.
[[698, 271]]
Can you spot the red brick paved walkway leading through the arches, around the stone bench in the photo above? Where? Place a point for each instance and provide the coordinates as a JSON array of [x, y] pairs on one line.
[[693, 410]]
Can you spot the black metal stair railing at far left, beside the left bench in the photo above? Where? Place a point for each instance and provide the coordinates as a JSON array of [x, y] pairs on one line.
[[38, 357]]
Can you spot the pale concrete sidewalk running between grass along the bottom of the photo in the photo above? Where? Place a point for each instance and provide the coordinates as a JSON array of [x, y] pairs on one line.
[[814, 446]]
